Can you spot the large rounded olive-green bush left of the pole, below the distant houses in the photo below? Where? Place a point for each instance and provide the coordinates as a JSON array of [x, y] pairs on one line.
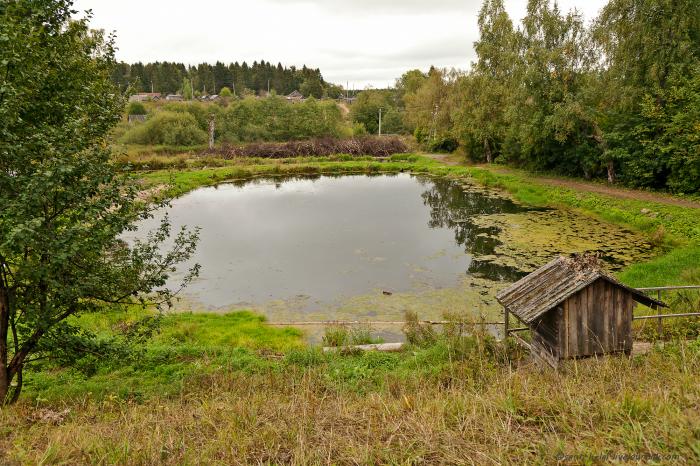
[[170, 128]]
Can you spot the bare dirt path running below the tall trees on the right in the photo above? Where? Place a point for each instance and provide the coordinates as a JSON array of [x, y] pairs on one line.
[[584, 186]]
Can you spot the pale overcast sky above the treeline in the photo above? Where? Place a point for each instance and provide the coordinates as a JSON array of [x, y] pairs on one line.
[[363, 42]]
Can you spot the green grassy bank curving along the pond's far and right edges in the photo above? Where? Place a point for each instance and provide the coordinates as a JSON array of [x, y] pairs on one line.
[[675, 229]]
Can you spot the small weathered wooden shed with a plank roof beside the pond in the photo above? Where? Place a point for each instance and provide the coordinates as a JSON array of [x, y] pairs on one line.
[[574, 309]]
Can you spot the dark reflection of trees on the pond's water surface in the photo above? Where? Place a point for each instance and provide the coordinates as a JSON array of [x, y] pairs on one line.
[[454, 208]]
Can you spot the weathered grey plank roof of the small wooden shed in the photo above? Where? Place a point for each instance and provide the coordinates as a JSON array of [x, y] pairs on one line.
[[552, 284]]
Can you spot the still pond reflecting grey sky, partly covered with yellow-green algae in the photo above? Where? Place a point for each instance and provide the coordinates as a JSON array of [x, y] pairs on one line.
[[370, 247]]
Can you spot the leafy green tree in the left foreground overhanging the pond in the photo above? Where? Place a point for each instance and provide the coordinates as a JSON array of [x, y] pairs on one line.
[[64, 205]]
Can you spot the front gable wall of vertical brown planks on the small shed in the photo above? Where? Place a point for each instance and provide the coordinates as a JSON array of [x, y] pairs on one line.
[[596, 320]]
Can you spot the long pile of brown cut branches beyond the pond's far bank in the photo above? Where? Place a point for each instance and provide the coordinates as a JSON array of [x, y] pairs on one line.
[[371, 146]]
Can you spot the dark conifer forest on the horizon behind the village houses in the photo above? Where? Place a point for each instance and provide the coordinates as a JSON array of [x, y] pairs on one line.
[[241, 78]]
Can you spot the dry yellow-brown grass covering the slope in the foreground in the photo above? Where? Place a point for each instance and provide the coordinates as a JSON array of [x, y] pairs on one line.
[[471, 413]]
